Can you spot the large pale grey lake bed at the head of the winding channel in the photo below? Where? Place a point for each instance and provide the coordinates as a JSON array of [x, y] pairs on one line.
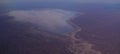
[[52, 19]]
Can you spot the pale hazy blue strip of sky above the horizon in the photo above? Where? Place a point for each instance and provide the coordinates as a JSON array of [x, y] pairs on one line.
[[81, 1]]
